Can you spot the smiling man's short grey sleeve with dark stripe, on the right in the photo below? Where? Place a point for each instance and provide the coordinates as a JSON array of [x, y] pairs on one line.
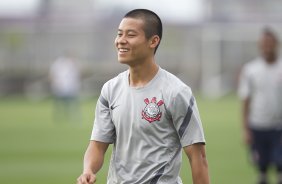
[[186, 118]]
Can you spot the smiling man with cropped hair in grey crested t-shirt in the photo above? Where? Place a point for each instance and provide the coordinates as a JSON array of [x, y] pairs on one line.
[[147, 113]]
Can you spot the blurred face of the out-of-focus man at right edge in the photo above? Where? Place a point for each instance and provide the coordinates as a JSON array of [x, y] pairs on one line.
[[268, 47]]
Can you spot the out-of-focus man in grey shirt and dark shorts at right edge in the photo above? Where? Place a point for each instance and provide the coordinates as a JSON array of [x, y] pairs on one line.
[[260, 89]]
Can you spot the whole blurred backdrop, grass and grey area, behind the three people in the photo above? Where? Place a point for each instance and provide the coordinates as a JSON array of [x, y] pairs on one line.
[[205, 44]]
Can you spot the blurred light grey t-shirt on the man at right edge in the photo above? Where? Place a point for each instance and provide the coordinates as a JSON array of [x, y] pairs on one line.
[[262, 83]]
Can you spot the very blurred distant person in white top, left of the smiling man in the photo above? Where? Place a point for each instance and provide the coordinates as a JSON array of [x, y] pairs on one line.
[[64, 76]]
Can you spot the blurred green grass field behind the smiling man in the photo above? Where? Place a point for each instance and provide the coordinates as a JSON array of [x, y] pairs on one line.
[[34, 149]]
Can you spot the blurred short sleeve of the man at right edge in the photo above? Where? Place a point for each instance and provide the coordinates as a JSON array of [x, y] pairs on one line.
[[244, 88]]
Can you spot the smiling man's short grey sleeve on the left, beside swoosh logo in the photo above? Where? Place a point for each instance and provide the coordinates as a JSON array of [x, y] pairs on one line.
[[103, 129]]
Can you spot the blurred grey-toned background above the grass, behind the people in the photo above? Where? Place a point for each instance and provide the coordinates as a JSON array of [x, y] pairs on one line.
[[205, 41]]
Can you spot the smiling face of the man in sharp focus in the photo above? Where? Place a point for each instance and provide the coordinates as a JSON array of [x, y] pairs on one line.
[[132, 45]]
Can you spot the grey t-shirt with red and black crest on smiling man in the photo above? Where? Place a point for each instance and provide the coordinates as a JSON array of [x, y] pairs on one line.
[[148, 127]]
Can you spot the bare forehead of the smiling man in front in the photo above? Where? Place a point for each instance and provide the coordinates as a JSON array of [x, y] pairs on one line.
[[131, 24]]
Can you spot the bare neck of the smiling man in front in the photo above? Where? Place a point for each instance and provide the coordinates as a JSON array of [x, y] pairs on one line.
[[140, 75]]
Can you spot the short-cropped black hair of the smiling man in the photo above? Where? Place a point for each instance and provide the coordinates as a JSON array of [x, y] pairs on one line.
[[152, 22]]
